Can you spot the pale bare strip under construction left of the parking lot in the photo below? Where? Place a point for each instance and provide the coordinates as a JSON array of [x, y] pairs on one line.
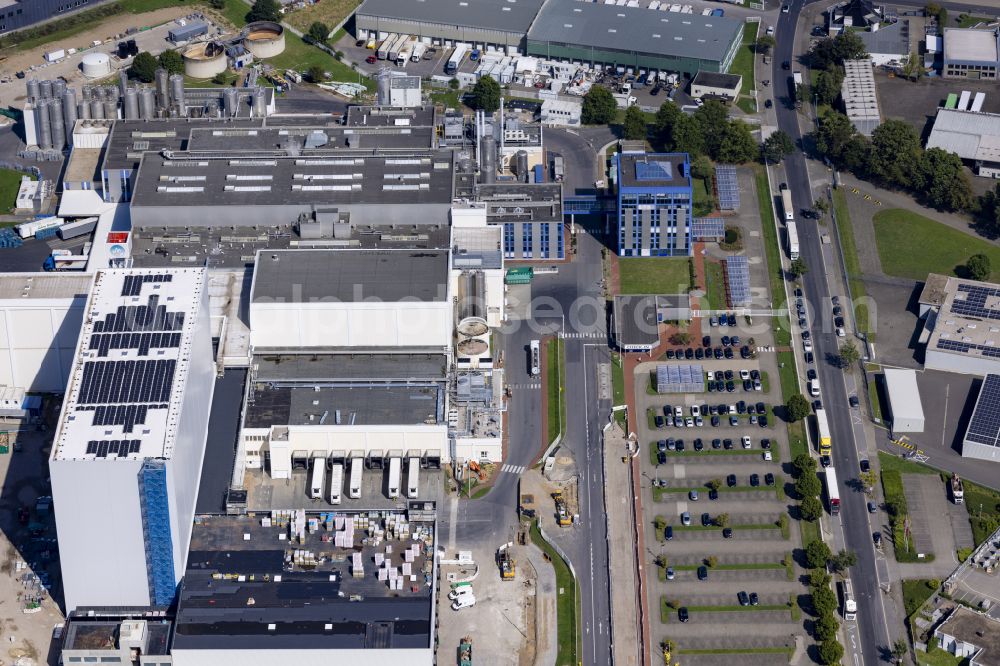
[[621, 551]]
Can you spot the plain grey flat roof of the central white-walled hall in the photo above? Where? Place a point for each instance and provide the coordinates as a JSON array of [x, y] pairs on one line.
[[301, 276]]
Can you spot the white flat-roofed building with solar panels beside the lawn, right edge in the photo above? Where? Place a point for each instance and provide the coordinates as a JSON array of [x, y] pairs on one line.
[[961, 331]]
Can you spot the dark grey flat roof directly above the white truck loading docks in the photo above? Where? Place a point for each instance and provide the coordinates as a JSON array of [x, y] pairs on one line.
[[373, 405]]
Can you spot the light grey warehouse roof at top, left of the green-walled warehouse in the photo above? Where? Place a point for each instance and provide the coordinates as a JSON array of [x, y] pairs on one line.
[[508, 16]]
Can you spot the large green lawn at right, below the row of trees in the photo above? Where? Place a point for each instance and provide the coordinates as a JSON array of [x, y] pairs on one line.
[[911, 246]]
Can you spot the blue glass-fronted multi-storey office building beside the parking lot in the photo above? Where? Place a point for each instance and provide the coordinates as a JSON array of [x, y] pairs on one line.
[[654, 204]]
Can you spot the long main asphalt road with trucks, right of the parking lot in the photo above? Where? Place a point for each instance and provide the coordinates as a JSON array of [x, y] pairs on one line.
[[871, 627]]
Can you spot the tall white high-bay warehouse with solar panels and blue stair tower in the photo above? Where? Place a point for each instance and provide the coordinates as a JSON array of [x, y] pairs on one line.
[[127, 453]]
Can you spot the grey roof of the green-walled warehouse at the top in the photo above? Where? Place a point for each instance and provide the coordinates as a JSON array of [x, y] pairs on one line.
[[635, 29]]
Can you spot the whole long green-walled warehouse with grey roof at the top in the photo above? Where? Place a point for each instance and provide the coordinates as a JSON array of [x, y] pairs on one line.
[[638, 37]]
